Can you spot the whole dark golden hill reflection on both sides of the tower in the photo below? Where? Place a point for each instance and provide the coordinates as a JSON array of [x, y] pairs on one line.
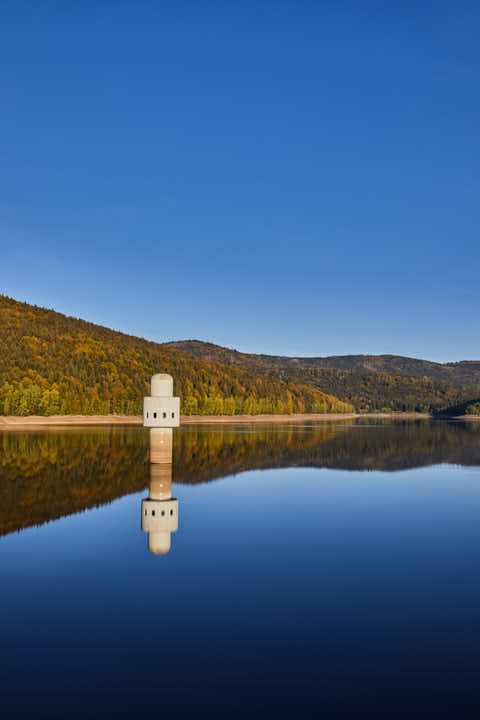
[[46, 475]]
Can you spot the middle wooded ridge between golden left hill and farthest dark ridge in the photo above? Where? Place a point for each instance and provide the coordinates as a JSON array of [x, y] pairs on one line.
[[366, 390]]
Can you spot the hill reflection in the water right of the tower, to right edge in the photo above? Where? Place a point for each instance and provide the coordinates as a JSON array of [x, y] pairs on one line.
[[199, 457]]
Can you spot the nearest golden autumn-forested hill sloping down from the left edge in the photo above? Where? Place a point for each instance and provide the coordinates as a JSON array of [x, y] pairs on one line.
[[51, 364]]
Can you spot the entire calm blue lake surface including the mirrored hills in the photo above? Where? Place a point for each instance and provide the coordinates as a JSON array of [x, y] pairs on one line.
[[317, 569]]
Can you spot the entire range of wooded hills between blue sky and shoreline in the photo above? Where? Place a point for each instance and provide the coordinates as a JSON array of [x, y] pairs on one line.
[[51, 364]]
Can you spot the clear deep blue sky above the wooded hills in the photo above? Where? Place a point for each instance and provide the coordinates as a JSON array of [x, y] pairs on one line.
[[285, 177]]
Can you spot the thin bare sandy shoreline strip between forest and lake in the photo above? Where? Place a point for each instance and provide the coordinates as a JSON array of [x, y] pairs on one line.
[[32, 421]]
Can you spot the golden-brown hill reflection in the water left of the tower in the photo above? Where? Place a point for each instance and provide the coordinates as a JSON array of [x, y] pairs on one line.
[[46, 475]]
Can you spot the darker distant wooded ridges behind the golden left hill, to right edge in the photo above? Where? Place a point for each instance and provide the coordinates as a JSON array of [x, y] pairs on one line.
[[364, 381]]
